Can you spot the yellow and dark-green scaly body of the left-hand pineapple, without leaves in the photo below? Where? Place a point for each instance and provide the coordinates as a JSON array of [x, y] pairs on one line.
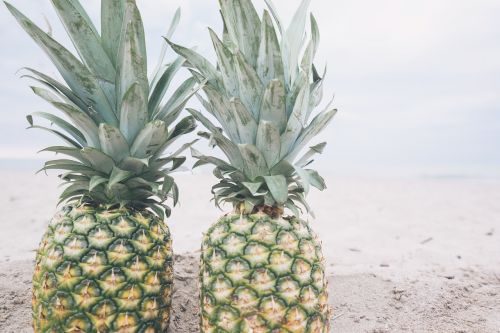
[[103, 270]]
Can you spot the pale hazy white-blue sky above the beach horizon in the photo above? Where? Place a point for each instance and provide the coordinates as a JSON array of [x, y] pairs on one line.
[[416, 83]]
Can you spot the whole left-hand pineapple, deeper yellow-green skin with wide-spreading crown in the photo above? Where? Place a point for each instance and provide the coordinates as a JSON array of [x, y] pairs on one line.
[[105, 263]]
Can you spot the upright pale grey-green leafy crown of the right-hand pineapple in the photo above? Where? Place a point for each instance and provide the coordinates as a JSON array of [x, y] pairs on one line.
[[262, 93]]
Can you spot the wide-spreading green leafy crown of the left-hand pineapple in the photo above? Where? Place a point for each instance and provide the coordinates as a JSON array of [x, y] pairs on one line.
[[115, 124]]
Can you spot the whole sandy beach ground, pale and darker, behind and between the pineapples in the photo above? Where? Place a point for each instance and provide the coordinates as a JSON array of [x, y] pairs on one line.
[[405, 255]]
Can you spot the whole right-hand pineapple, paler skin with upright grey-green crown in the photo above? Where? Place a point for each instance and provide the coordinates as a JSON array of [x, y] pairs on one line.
[[262, 271]]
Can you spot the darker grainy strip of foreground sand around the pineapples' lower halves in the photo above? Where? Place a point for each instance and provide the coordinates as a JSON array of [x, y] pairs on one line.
[[469, 302]]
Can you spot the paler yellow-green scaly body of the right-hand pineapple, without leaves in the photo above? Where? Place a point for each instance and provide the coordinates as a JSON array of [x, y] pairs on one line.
[[262, 274]]
